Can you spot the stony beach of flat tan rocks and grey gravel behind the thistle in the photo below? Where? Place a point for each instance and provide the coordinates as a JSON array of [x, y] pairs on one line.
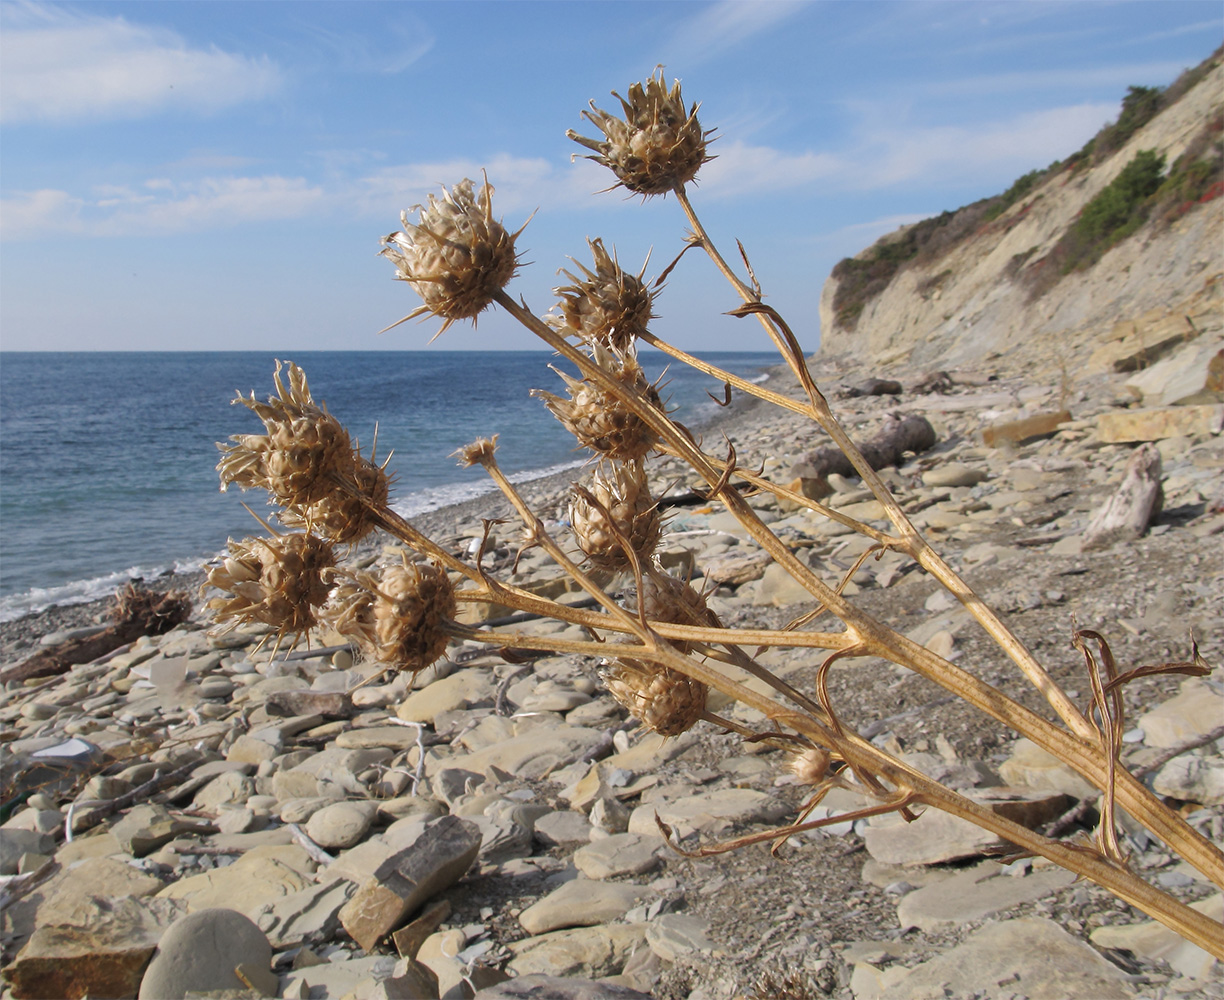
[[193, 816]]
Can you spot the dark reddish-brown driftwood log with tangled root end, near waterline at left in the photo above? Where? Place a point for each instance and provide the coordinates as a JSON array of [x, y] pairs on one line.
[[136, 613]]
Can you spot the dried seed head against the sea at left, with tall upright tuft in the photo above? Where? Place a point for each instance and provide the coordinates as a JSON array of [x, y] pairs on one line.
[[303, 453]]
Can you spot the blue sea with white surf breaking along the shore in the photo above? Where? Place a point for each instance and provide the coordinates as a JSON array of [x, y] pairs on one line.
[[108, 460]]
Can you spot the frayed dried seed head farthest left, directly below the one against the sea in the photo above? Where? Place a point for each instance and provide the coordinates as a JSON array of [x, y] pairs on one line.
[[278, 582]]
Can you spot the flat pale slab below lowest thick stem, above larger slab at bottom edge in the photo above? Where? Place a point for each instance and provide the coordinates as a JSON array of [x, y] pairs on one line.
[[976, 894]]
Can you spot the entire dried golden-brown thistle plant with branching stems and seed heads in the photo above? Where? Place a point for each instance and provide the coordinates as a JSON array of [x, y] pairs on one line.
[[664, 649]]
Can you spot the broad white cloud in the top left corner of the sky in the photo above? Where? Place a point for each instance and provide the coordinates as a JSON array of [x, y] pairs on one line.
[[59, 65]]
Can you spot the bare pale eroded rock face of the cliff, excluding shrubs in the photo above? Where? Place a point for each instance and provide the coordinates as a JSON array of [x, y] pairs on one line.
[[974, 304]]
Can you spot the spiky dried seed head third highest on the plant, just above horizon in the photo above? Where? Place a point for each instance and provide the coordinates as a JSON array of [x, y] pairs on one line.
[[605, 307]]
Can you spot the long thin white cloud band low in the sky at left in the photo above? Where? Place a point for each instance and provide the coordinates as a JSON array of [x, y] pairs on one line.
[[157, 207]]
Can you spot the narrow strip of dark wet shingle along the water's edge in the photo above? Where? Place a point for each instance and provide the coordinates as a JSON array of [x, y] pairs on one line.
[[20, 637]]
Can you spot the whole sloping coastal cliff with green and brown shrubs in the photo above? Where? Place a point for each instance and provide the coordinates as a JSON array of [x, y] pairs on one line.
[[1078, 265]]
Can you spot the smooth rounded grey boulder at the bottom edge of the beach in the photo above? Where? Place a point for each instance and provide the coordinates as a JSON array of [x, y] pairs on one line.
[[204, 952]]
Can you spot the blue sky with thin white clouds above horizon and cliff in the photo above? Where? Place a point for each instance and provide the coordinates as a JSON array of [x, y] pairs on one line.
[[218, 176]]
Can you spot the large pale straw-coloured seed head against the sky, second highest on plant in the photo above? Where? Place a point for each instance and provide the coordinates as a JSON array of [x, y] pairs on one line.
[[457, 258]]
